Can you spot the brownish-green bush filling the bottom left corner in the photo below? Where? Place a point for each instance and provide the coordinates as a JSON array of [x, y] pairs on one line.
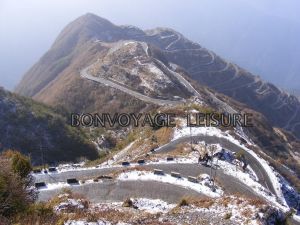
[[17, 198]]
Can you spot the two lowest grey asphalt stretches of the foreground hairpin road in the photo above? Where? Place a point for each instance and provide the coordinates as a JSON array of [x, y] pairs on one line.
[[153, 189]]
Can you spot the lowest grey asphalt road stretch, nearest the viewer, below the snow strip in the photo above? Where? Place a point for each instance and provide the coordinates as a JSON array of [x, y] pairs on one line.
[[114, 190]]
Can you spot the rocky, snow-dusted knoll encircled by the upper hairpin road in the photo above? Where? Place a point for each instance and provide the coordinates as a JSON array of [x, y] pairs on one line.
[[134, 64]]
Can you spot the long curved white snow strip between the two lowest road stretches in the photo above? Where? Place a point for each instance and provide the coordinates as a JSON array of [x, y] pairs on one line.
[[183, 182]]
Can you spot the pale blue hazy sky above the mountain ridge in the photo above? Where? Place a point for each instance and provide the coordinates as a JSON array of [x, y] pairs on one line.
[[260, 35]]
